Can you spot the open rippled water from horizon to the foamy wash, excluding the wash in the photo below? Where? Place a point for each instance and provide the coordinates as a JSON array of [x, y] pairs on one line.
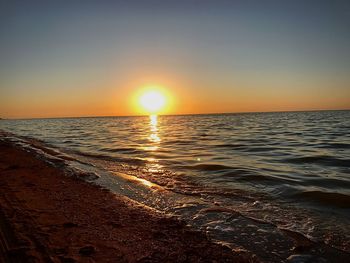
[[271, 162]]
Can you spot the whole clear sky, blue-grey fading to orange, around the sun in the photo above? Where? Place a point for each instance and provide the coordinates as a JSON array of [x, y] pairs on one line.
[[90, 58]]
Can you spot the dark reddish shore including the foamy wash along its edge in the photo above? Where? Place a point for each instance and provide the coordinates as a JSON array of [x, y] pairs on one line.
[[28, 165]]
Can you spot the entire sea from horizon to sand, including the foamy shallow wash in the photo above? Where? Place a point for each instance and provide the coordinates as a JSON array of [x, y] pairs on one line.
[[260, 182]]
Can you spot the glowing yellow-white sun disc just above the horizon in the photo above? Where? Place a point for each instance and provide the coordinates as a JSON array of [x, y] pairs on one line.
[[152, 101]]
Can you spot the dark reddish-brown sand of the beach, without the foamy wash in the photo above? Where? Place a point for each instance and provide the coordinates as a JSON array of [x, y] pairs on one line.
[[47, 216]]
